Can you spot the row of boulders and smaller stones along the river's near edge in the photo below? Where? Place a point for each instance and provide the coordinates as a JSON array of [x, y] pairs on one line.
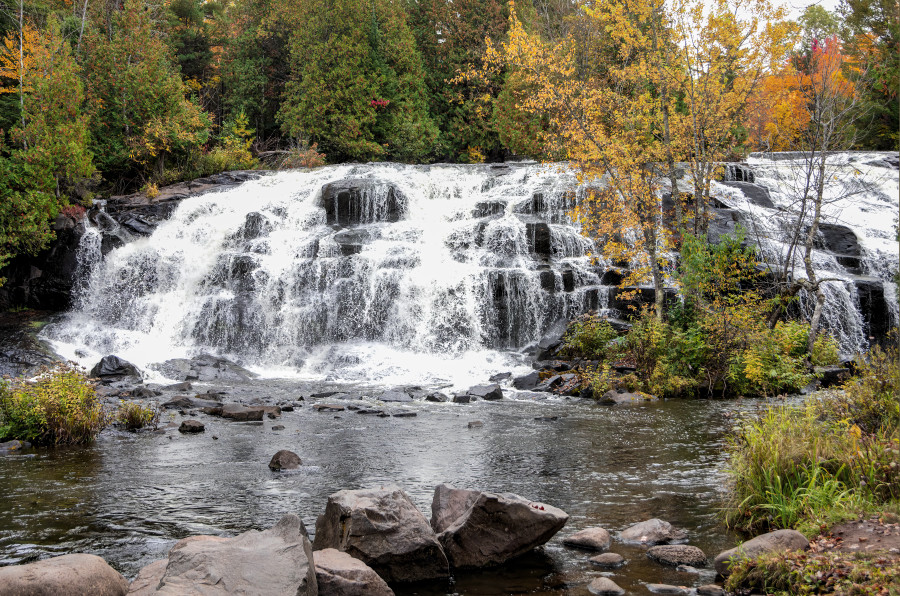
[[364, 541]]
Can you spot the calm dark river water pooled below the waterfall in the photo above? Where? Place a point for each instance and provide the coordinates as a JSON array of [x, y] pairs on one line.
[[130, 496]]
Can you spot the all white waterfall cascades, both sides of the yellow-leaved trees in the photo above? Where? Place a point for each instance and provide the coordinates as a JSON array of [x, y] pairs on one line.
[[398, 274]]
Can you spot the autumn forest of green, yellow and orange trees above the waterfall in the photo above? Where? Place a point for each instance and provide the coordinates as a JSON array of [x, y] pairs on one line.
[[110, 97]]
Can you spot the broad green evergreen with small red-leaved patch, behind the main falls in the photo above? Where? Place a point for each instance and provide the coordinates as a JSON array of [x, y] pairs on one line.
[[357, 83]]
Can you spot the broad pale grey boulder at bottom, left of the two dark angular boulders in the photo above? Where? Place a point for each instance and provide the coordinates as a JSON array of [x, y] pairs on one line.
[[276, 561]]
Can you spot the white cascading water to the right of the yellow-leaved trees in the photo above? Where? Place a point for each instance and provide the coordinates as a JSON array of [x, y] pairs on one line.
[[860, 208]]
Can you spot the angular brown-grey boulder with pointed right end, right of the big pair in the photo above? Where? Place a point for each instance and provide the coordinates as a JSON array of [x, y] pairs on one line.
[[493, 528]]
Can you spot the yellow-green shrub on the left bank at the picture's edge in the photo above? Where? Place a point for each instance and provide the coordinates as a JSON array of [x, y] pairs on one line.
[[59, 407]]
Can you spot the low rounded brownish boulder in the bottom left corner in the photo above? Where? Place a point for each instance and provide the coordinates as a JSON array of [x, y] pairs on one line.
[[68, 575]]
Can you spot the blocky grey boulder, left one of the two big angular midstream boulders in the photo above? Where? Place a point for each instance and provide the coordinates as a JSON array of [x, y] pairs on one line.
[[383, 529]]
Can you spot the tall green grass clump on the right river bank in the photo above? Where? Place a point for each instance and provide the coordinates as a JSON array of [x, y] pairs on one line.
[[806, 466]]
